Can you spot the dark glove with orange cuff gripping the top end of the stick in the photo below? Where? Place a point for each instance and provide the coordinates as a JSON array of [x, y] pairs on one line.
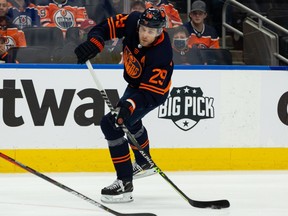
[[88, 49]]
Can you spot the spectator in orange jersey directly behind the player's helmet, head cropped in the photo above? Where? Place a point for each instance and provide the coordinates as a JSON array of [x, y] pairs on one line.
[[173, 17]]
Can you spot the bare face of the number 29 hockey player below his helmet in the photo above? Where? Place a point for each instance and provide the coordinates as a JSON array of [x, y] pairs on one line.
[[147, 35]]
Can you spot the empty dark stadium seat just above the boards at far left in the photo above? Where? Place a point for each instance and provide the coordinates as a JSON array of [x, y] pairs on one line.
[[33, 54]]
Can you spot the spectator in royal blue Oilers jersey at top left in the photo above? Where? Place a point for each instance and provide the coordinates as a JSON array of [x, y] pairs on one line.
[[23, 13]]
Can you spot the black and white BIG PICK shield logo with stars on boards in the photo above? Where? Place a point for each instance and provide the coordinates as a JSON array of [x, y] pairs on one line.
[[186, 106]]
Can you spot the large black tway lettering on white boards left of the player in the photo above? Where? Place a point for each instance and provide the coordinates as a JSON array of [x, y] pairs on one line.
[[59, 109]]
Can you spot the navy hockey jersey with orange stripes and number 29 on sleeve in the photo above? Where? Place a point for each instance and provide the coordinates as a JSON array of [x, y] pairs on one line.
[[147, 68]]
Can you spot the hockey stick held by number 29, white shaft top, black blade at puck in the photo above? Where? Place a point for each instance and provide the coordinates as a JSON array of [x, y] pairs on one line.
[[214, 204]]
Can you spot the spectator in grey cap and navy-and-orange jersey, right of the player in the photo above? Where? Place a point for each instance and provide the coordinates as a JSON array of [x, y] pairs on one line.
[[201, 34]]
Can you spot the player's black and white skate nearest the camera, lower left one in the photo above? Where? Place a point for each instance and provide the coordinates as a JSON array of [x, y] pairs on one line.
[[118, 192]]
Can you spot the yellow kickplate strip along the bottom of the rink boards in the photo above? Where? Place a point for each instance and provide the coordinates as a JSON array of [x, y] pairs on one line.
[[172, 159]]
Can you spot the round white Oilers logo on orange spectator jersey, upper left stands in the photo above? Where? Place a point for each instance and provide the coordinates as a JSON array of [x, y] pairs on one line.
[[64, 19]]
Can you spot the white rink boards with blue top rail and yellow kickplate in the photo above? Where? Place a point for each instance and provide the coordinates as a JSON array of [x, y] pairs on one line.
[[216, 118]]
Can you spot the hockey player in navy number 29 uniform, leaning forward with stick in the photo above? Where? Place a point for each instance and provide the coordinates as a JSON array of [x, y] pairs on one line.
[[148, 73]]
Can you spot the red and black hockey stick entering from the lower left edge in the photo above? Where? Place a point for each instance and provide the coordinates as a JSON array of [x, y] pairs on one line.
[[78, 194]]
